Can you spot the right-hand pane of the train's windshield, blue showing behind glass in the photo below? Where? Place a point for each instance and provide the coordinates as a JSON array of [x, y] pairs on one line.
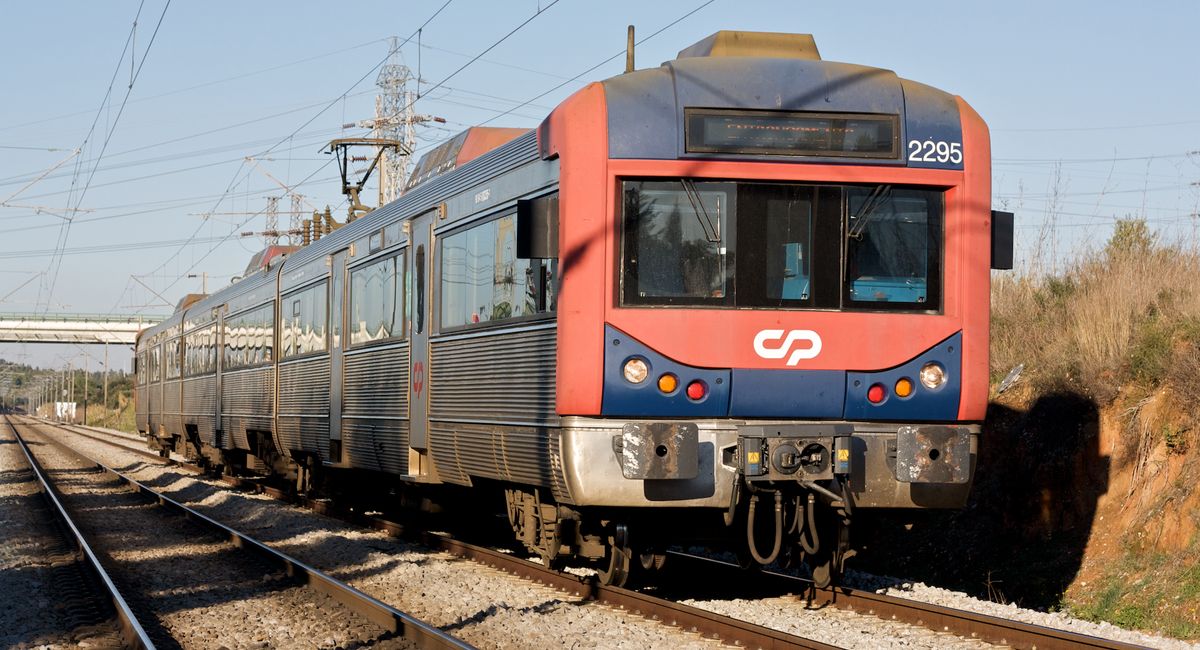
[[893, 248]]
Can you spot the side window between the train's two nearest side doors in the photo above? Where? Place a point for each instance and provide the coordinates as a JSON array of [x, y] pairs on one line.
[[377, 300]]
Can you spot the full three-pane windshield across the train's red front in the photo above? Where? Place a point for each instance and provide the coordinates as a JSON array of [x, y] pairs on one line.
[[782, 245]]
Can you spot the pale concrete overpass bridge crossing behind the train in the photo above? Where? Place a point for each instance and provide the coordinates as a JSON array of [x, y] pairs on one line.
[[73, 328]]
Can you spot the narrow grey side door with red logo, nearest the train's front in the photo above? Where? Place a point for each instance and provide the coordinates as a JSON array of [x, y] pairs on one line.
[[421, 323]]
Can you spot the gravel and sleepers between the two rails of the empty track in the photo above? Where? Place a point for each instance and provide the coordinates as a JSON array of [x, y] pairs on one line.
[[190, 587]]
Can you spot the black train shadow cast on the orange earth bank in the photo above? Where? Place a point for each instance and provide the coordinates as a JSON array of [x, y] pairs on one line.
[[1023, 535]]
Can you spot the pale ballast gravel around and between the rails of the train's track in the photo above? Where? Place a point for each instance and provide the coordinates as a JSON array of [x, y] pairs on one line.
[[493, 610]]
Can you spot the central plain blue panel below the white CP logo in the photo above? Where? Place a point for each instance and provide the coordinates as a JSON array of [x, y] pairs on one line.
[[788, 394]]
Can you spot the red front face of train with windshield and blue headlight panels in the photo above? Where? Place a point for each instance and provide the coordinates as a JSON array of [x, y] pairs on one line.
[[668, 260]]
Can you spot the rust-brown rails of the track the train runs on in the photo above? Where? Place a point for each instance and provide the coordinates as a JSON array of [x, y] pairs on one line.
[[715, 627]]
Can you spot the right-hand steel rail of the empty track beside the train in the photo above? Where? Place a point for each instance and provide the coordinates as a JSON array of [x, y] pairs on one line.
[[385, 616]]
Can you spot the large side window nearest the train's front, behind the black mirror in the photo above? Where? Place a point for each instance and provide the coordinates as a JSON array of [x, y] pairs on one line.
[[484, 281]]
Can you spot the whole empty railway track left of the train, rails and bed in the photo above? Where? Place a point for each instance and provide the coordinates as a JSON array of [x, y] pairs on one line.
[[218, 587]]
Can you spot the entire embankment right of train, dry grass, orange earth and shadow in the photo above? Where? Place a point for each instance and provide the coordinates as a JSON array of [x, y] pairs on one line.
[[1088, 499]]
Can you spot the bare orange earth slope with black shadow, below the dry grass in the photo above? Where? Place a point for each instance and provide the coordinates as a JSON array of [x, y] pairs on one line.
[[1077, 507]]
